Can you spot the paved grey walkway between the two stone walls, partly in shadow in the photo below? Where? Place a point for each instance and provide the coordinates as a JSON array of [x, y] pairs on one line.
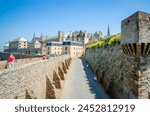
[[80, 83]]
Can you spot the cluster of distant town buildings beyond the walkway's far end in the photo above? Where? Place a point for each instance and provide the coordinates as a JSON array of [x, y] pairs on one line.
[[72, 44]]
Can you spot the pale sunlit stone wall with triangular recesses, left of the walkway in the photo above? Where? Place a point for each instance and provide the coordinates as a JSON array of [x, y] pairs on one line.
[[31, 80]]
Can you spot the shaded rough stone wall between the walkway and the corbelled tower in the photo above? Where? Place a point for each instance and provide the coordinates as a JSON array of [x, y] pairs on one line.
[[108, 65]]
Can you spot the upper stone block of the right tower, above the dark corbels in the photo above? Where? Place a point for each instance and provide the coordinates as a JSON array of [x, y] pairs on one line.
[[136, 28]]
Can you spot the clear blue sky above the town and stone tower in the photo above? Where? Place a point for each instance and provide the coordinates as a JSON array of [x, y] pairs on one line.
[[24, 17]]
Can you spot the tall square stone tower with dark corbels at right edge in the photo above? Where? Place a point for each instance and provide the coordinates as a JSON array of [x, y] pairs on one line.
[[135, 40]]
